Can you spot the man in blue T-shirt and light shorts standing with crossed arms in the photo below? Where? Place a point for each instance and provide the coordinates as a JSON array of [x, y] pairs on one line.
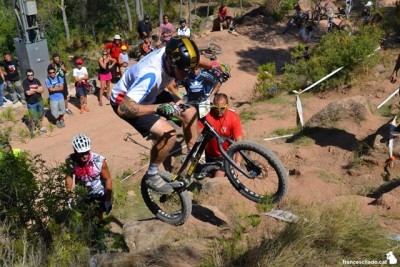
[[55, 85]]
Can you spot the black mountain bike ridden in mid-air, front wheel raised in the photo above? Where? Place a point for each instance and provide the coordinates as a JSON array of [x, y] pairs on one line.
[[253, 170]]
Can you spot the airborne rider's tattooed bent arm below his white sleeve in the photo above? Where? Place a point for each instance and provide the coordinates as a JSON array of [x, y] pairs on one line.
[[130, 109]]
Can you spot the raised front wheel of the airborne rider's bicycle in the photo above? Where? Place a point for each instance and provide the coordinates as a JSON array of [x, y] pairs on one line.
[[267, 176]]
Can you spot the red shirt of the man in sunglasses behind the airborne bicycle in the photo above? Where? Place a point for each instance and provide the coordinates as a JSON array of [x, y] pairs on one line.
[[227, 126]]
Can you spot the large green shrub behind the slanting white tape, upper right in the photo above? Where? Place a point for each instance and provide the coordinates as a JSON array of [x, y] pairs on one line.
[[336, 49]]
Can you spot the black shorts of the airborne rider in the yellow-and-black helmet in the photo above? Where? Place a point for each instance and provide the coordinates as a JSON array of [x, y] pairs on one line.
[[143, 124]]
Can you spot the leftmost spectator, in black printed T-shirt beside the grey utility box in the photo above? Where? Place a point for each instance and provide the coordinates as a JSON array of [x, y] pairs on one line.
[[10, 66]]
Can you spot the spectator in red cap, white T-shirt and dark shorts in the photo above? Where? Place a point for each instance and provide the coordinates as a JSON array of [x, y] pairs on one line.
[[81, 75]]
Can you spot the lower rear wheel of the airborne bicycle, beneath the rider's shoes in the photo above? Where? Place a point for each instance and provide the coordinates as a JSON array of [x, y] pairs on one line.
[[174, 208]]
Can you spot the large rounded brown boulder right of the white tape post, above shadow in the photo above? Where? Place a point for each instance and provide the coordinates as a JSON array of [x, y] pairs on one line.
[[341, 114]]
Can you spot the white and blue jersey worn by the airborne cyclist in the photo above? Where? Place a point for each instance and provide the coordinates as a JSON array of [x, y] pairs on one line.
[[144, 81]]
